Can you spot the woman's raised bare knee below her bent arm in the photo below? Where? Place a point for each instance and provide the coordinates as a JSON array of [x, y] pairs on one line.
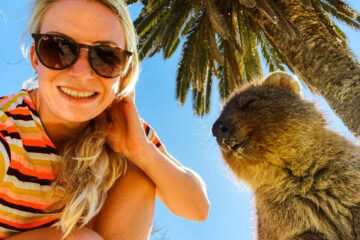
[[129, 208]]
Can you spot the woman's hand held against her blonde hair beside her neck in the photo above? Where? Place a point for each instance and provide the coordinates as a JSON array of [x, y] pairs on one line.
[[126, 133]]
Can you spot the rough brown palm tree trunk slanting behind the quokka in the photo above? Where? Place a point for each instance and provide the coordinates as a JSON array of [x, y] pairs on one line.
[[317, 57]]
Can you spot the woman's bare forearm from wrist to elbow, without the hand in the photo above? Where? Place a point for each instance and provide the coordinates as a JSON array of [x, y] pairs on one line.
[[181, 189]]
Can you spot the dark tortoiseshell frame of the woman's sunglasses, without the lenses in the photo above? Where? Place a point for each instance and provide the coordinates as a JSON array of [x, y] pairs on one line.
[[37, 37]]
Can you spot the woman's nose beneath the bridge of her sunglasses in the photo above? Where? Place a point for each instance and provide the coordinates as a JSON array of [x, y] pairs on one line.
[[81, 68]]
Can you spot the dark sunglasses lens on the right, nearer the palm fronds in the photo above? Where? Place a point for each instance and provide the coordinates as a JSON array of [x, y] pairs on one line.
[[107, 61]]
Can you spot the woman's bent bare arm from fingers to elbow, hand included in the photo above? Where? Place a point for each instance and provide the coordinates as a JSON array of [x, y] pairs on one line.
[[181, 189]]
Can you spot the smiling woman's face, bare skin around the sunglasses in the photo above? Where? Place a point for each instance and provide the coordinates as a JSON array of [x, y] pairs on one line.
[[87, 22]]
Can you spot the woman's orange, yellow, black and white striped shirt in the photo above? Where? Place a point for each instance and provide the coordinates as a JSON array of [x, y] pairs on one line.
[[27, 167]]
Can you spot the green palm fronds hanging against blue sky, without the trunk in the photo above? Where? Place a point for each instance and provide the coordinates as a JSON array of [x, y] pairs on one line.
[[222, 39]]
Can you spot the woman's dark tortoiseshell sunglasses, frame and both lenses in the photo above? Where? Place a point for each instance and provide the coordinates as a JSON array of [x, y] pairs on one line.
[[58, 52]]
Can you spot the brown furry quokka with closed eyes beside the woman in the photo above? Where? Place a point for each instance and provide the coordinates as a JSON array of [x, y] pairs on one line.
[[305, 177]]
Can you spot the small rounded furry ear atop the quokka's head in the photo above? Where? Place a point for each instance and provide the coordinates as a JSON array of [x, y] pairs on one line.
[[282, 79]]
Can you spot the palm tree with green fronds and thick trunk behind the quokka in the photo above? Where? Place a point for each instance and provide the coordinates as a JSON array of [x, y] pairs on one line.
[[224, 38]]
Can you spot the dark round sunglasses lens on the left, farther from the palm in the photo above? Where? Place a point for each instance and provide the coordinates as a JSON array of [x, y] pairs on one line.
[[56, 52]]
